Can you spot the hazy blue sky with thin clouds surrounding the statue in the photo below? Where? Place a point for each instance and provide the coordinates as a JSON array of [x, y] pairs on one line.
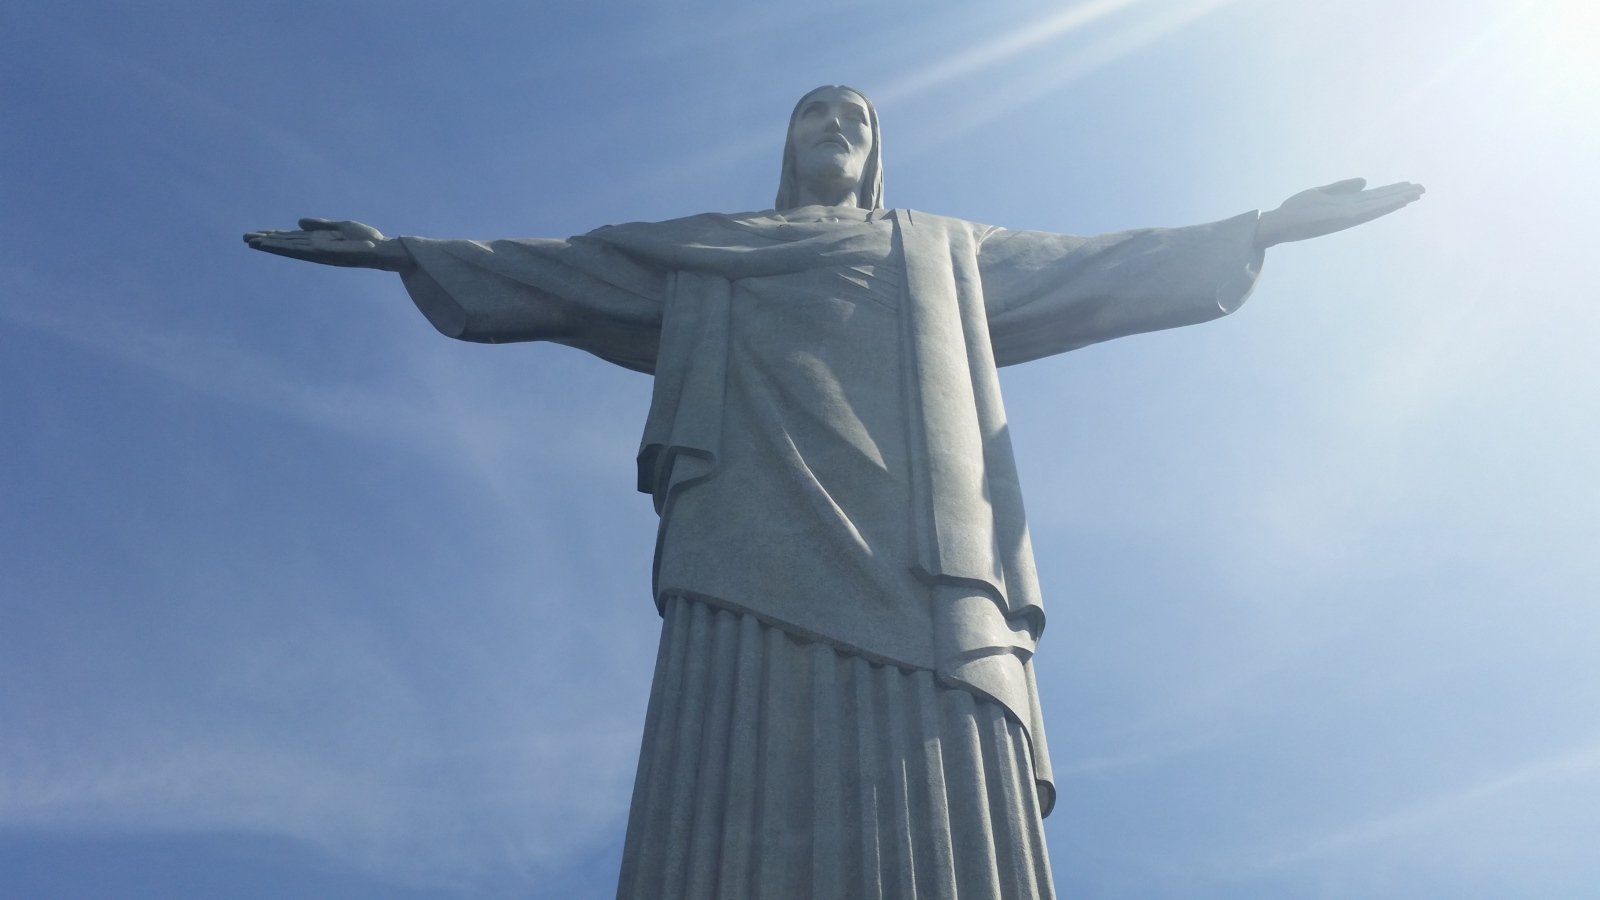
[[302, 600]]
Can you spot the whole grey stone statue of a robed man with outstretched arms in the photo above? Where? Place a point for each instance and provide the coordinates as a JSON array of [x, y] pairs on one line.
[[844, 701]]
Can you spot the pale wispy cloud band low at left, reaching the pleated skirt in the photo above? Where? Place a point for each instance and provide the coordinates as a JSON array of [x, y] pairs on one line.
[[484, 810]]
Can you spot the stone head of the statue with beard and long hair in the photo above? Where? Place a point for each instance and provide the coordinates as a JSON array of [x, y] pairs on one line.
[[833, 142]]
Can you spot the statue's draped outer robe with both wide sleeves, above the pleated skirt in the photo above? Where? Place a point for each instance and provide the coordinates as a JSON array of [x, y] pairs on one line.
[[826, 444]]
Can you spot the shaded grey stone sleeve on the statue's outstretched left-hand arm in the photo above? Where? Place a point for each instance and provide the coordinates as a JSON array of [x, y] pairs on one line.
[[580, 292]]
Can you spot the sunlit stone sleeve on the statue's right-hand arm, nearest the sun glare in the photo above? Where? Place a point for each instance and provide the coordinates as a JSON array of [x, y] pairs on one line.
[[1049, 294]]
